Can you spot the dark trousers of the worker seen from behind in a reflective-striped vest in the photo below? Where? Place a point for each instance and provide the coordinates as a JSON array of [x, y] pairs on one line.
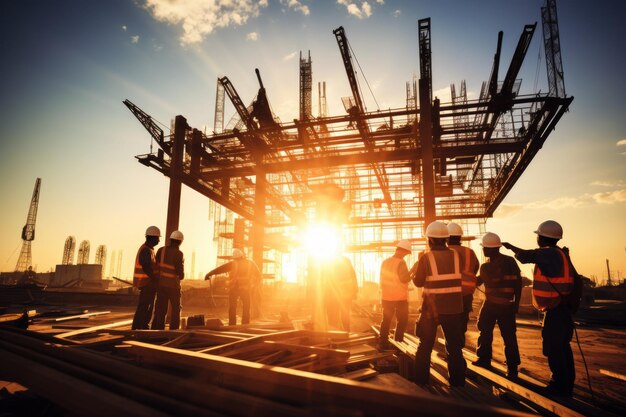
[[426, 330]]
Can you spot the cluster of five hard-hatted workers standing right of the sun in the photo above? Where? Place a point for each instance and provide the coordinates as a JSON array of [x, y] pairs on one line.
[[449, 273]]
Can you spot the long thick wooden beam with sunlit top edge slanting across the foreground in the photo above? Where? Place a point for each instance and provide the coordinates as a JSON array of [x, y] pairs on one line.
[[305, 388]]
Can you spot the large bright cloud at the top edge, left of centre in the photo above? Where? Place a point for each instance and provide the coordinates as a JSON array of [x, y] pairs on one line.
[[199, 18]]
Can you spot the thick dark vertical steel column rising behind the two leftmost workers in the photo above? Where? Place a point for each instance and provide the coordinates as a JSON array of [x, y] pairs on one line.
[[176, 171]]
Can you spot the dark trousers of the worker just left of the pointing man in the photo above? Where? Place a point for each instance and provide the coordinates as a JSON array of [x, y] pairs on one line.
[[504, 316]]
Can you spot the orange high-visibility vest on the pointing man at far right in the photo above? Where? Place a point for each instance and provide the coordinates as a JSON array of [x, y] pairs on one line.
[[546, 289]]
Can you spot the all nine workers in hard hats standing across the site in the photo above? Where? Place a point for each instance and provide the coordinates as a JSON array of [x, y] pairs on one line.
[[448, 272]]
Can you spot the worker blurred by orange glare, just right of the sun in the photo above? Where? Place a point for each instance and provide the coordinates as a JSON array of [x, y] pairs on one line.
[[340, 289]]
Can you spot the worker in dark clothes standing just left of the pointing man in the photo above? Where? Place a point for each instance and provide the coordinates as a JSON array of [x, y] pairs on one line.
[[503, 289]]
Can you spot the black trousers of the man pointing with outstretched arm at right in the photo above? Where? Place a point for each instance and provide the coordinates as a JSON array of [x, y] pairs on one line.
[[558, 328]]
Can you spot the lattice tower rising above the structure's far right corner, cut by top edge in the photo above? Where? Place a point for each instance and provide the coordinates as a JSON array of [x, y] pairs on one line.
[[552, 46]]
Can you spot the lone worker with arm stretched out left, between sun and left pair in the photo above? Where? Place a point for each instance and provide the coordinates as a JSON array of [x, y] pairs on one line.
[[243, 276]]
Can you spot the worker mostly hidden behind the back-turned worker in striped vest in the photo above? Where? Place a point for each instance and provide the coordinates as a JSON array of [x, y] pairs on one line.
[[469, 267]]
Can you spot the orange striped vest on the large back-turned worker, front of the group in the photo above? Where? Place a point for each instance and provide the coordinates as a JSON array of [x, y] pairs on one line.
[[445, 287]]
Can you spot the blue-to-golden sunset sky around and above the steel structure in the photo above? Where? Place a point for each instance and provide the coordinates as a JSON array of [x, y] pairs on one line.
[[68, 65]]
